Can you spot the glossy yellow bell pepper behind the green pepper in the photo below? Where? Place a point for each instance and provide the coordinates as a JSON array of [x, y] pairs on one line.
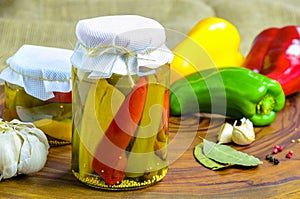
[[212, 42]]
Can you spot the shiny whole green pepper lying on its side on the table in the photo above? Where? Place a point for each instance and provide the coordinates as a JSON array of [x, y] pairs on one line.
[[232, 91]]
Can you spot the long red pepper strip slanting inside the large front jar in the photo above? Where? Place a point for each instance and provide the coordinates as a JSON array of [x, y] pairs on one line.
[[110, 158]]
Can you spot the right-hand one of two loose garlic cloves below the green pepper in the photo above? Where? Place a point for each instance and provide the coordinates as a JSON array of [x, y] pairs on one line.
[[243, 134]]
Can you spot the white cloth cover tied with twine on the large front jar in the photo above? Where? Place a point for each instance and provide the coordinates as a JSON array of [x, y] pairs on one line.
[[120, 44]]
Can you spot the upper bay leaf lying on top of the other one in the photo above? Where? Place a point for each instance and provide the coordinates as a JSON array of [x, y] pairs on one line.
[[227, 155]]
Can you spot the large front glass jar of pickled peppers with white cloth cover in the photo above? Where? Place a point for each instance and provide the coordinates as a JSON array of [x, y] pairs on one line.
[[120, 103]]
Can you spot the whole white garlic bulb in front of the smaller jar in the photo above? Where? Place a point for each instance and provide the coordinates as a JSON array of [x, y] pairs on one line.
[[23, 148]]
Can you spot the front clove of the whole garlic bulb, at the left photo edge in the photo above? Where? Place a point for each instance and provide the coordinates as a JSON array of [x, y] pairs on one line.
[[9, 154]]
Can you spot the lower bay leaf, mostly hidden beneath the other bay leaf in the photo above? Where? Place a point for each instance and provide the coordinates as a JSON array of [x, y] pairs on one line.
[[205, 161]]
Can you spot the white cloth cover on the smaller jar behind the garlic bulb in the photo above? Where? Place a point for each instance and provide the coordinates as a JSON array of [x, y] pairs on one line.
[[40, 70]]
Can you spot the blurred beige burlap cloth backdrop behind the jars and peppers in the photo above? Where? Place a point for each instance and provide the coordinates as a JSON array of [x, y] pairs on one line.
[[52, 22]]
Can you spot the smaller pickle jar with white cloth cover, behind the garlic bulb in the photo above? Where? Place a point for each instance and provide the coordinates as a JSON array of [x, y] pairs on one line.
[[38, 82]]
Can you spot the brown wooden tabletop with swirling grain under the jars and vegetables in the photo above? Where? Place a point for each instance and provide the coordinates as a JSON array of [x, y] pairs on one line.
[[186, 178]]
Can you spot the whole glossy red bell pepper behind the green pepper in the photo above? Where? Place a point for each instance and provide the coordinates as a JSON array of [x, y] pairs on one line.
[[276, 54]]
